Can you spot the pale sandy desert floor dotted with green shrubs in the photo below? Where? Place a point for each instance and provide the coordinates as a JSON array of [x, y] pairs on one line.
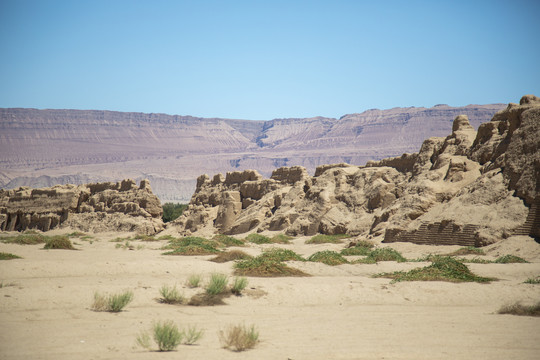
[[339, 312]]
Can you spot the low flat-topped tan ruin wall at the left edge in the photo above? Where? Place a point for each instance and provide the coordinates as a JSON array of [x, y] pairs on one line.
[[93, 207]]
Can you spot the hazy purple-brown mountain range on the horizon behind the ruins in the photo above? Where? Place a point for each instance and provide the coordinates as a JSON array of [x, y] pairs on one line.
[[46, 147]]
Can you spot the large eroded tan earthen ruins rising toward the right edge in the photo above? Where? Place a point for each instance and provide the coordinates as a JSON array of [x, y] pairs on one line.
[[470, 188]]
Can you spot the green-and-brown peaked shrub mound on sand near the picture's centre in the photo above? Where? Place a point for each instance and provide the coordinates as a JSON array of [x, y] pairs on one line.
[[262, 266]]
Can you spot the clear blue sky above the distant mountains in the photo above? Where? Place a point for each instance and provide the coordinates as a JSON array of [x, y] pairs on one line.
[[266, 59]]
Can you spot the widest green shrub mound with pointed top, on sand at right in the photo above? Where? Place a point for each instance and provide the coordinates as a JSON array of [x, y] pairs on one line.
[[443, 268]]
